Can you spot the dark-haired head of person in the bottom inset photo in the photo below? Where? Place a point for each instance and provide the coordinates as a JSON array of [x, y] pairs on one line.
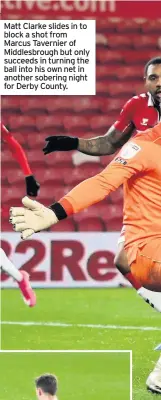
[[46, 387]]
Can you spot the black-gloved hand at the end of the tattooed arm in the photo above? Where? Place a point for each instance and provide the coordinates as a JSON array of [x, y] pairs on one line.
[[60, 143]]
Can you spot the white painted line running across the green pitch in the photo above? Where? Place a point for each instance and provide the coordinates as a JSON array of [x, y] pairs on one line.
[[66, 325]]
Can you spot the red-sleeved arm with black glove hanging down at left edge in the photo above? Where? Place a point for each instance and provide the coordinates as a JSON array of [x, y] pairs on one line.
[[32, 186]]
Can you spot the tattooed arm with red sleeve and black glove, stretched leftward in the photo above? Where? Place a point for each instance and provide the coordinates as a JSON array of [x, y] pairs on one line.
[[115, 138]]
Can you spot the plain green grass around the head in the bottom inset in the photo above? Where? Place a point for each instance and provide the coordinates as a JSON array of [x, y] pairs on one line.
[[81, 376]]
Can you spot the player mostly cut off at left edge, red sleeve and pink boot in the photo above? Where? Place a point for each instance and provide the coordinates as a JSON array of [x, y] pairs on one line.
[[32, 188]]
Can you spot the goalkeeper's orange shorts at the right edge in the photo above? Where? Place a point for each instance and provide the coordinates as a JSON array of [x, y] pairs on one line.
[[146, 267]]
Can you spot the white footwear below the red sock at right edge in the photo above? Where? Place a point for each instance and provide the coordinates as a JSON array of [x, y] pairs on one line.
[[153, 298]]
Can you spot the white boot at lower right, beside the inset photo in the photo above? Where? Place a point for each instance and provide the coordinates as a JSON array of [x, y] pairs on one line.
[[154, 379]]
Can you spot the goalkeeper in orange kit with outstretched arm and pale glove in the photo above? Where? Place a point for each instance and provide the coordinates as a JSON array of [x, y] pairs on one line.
[[137, 166]]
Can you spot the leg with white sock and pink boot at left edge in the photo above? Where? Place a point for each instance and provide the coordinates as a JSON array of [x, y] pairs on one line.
[[21, 277]]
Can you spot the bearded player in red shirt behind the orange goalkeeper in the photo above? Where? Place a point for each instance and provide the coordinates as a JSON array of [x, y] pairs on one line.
[[138, 114]]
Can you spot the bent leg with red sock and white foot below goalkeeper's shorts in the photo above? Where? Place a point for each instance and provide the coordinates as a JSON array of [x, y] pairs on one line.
[[121, 263]]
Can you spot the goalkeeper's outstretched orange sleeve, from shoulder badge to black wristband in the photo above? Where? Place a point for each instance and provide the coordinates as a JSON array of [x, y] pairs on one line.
[[95, 189]]
